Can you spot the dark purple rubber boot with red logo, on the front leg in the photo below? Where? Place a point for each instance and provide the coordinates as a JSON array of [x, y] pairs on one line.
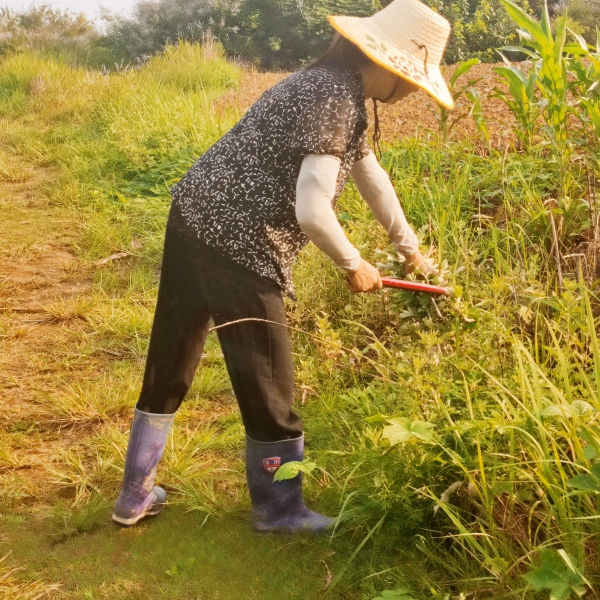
[[277, 506]]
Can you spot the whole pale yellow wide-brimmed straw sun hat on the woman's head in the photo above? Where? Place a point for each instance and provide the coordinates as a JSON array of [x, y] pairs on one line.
[[407, 38]]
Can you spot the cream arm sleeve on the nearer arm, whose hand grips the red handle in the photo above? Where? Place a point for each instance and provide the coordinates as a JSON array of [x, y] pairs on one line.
[[314, 191]]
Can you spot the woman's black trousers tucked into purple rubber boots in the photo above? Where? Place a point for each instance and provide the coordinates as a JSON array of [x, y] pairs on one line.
[[197, 284]]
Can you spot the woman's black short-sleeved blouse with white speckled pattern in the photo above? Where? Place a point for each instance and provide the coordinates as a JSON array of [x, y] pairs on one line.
[[239, 198]]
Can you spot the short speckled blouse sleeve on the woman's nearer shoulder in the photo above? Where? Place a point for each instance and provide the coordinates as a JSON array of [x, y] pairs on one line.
[[327, 127]]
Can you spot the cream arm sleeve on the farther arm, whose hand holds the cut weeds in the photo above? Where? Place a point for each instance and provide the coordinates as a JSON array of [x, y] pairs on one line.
[[377, 190]]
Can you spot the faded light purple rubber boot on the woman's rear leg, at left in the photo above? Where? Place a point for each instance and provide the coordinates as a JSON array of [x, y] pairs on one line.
[[139, 497]]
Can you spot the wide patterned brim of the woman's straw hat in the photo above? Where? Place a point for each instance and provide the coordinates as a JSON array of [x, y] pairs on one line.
[[391, 58]]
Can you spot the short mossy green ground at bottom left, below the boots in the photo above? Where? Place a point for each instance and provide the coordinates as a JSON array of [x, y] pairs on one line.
[[219, 558]]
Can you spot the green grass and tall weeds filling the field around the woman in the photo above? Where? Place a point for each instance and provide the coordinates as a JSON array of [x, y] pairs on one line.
[[456, 441]]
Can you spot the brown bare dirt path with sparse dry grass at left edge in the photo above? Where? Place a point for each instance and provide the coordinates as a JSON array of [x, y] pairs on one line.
[[38, 273]]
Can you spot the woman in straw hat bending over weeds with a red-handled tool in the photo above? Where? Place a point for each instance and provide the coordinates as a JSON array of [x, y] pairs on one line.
[[238, 219]]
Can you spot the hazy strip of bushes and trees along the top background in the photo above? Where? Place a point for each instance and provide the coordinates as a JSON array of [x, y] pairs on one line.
[[266, 33]]
